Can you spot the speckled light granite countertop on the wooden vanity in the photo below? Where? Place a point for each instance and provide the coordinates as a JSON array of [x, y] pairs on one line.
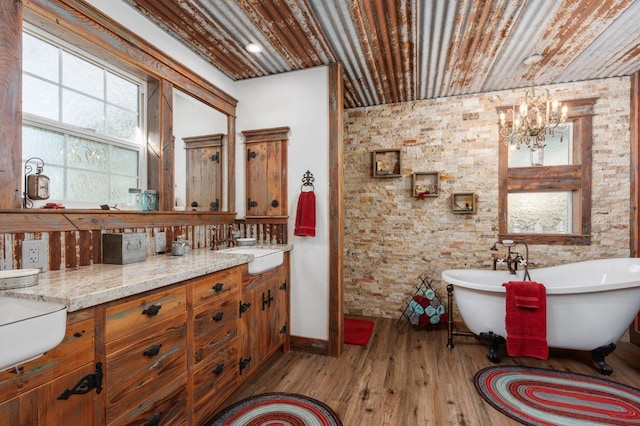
[[88, 286]]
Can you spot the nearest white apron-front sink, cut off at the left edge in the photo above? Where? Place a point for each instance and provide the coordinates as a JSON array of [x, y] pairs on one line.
[[28, 329]]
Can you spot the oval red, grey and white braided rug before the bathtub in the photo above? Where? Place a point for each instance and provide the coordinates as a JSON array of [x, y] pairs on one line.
[[535, 396]]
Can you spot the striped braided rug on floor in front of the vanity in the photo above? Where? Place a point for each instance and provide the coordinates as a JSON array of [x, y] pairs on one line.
[[277, 409]]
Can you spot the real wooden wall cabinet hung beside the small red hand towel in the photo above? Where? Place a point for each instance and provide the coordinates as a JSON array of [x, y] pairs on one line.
[[266, 171]]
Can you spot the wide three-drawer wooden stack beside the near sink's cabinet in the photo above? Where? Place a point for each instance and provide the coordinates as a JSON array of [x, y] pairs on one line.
[[146, 358]]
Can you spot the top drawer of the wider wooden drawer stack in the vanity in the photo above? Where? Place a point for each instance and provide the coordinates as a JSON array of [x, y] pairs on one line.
[[141, 311]]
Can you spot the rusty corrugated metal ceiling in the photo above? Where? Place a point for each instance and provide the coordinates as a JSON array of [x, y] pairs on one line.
[[402, 50]]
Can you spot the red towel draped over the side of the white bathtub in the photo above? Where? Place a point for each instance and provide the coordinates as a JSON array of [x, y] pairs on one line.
[[526, 319]]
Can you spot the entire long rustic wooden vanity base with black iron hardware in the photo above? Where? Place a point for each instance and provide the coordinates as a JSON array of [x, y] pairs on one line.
[[170, 356]]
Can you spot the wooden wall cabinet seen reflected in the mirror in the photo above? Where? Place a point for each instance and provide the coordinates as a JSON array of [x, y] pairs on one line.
[[204, 172]]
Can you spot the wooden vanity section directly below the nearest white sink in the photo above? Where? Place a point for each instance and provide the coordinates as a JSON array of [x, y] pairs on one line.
[[35, 392]]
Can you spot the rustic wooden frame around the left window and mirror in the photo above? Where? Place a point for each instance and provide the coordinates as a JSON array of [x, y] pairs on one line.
[[89, 29]]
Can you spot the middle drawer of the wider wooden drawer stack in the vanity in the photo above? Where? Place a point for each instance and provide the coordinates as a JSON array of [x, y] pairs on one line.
[[143, 364]]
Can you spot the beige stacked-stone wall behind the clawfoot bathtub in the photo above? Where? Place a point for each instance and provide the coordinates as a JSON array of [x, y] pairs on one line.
[[391, 237]]
